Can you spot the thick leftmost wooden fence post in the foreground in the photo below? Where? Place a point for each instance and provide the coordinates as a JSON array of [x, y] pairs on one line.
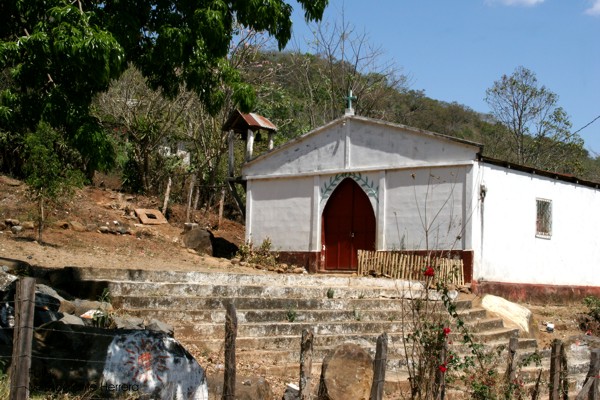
[[22, 338]]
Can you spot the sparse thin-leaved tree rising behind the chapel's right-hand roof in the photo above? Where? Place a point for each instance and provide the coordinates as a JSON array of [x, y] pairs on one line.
[[539, 130]]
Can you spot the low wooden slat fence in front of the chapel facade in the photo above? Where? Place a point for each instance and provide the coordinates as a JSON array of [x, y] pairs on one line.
[[410, 266]]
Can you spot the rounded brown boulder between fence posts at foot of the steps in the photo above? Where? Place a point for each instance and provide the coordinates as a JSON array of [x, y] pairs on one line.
[[347, 373]]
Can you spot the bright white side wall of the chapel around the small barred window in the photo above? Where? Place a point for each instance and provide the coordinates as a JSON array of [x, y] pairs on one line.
[[504, 230]]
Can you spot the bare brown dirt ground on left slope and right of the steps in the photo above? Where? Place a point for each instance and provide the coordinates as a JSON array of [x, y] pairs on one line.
[[156, 246]]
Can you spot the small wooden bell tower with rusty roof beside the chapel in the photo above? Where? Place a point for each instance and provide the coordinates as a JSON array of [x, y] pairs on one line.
[[247, 127]]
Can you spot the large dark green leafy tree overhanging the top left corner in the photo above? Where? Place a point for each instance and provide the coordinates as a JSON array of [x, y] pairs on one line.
[[56, 55]]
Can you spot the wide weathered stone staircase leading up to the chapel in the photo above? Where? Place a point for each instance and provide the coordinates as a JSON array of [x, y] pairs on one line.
[[273, 309]]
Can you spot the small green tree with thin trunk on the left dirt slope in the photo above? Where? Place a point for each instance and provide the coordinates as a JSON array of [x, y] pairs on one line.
[[48, 176]]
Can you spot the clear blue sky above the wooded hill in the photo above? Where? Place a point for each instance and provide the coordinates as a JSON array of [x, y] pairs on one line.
[[455, 50]]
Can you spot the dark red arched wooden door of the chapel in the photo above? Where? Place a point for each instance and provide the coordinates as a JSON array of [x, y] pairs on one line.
[[348, 225]]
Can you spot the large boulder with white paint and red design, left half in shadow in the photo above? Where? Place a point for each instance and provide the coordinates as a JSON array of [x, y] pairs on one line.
[[148, 364]]
